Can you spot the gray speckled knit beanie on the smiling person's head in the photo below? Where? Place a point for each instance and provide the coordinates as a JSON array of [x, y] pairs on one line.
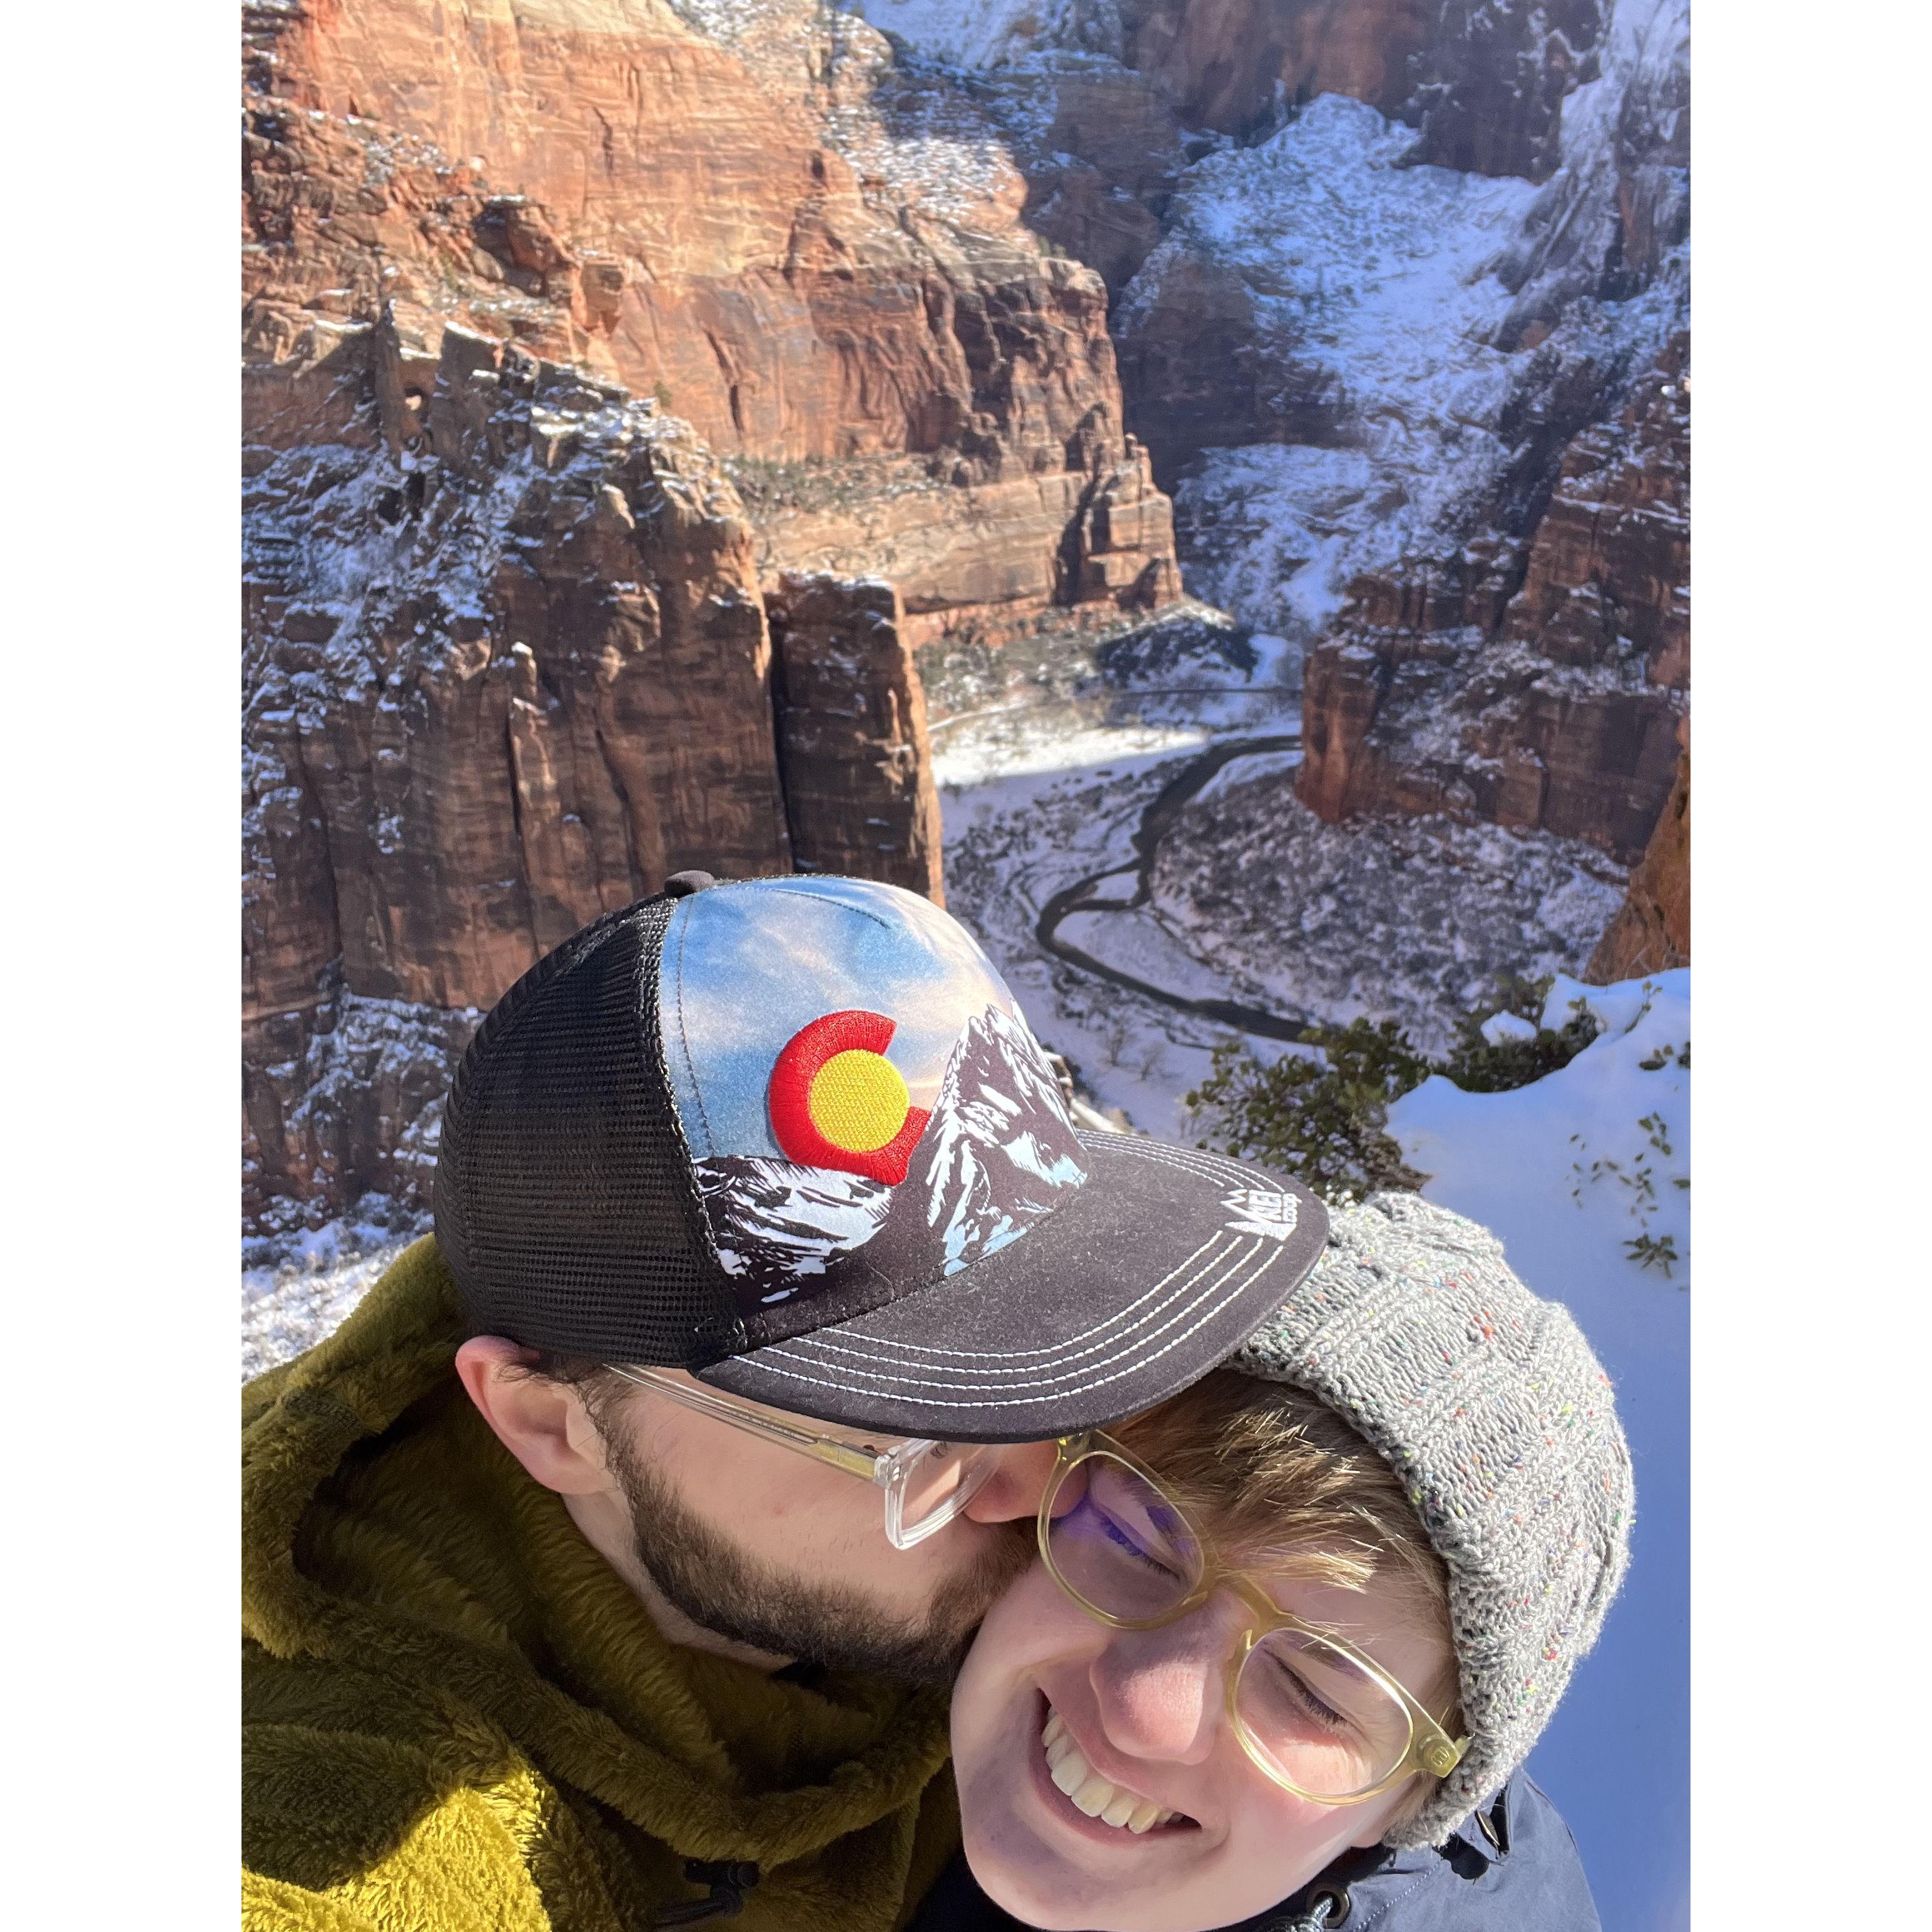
[[1498, 1419]]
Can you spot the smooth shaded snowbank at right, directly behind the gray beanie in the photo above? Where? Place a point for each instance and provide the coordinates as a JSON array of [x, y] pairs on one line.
[[1570, 1172]]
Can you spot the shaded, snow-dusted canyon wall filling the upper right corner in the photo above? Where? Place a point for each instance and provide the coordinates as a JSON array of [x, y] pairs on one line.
[[1400, 308]]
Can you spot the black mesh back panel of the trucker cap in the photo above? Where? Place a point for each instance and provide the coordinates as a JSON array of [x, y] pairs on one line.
[[565, 1199]]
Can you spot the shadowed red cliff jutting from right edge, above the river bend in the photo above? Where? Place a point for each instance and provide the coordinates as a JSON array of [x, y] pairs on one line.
[[1554, 704]]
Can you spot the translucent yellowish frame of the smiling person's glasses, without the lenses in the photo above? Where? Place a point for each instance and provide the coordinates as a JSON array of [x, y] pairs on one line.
[[1431, 1747]]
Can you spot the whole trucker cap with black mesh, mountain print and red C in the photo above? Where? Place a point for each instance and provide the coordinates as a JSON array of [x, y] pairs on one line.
[[795, 1137]]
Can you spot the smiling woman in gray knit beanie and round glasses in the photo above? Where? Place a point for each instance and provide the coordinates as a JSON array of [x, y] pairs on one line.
[[1293, 1635]]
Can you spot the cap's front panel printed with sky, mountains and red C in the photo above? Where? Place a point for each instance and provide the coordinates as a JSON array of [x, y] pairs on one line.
[[857, 1025]]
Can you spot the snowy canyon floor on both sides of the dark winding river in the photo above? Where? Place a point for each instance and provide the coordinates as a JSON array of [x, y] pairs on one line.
[[1253, 899]]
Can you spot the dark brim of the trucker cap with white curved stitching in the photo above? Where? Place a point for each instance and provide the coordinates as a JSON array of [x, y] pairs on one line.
[[1151, 1276]]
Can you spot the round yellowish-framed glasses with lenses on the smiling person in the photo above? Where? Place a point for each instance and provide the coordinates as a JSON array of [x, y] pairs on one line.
[[1313, 1713]]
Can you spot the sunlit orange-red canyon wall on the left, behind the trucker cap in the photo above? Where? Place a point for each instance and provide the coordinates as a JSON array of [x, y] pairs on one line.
[[525, 289]]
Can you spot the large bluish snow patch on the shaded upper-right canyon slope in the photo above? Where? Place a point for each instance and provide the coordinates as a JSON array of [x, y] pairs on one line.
[[1377, 295]]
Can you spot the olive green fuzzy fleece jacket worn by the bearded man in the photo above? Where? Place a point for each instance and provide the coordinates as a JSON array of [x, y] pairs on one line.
[[457, 1719]]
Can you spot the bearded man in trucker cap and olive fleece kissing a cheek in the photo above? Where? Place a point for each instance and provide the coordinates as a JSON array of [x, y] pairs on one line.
[[606, 1570]]
